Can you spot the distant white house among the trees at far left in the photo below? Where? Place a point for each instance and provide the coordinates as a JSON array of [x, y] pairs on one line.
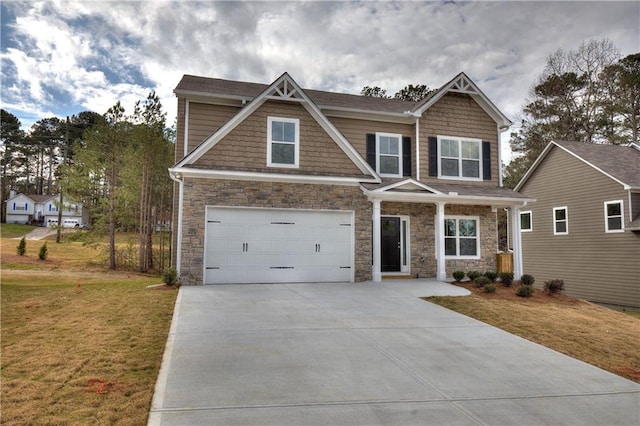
[[42, 210]]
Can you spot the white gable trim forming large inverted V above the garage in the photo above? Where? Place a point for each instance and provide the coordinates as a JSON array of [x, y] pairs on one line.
[[284, 88]]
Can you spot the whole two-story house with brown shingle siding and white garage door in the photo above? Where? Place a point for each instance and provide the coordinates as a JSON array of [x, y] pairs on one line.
[[275, 183]]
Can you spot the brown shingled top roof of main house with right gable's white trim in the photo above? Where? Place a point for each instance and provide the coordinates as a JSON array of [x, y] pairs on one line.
[[245, 92]]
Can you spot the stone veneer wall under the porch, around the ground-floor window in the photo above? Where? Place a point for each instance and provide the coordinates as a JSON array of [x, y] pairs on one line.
[[423, 240]]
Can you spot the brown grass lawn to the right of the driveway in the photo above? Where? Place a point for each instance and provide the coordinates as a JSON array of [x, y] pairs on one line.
[[599, 336]]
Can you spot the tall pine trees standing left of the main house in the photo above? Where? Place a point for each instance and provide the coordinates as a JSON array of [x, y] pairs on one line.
[[115, 164]]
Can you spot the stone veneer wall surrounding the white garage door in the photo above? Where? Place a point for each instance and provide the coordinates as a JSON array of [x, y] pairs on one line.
[[200, 193]]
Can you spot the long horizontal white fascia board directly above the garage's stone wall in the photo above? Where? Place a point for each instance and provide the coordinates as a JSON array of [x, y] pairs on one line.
[[180, 172]]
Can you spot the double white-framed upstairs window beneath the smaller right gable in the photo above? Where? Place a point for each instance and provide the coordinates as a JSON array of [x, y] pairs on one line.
[[460, 158]]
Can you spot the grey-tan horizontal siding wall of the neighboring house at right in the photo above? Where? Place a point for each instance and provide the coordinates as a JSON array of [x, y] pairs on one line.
[[595, 265]]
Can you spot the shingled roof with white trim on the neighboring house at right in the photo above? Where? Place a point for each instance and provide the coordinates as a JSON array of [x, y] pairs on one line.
[[618, 162]]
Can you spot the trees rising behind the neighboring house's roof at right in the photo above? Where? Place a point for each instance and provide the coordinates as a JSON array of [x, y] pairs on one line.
[[589, 95]]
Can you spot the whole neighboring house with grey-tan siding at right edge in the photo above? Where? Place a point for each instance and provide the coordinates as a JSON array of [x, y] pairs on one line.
[[584, 226]]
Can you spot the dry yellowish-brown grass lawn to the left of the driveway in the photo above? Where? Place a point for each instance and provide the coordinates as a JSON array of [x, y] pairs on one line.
[[79, 347]]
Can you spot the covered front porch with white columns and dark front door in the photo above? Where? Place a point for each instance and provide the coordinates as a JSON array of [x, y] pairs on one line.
[[421, 231]]
